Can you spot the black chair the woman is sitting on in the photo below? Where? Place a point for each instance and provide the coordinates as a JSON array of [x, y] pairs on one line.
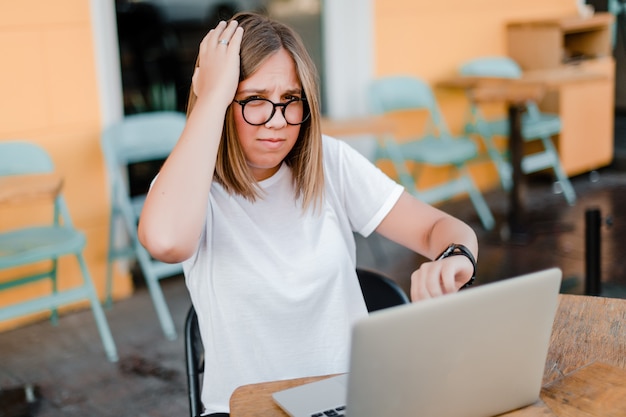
[[378, 290]]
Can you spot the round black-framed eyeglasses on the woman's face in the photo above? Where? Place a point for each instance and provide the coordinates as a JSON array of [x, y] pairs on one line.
[[258, 111]]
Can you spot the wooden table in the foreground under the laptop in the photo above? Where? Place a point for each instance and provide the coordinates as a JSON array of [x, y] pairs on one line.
[[585, 373]]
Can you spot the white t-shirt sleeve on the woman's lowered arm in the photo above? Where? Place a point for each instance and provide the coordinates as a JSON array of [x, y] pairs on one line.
[[365, 192]]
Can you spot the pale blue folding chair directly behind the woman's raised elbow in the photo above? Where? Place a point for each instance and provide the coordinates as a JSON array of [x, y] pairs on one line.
[[143, 137]]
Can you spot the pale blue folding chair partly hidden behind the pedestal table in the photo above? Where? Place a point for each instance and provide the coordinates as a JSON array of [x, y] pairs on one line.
[[536, 126]]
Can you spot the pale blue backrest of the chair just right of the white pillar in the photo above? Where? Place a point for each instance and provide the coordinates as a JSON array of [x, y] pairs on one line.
[[397, 93]]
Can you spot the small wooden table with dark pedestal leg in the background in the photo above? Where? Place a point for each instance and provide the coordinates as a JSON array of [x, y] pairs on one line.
[[515, 93]]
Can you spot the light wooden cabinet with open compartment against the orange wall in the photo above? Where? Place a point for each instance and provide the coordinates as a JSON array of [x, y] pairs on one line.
[[586, 106]]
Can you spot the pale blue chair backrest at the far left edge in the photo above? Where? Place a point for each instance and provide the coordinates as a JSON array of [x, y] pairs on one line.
[[22, 157]]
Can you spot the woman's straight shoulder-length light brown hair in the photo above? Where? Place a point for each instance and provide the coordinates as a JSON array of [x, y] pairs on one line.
[[262, 37]]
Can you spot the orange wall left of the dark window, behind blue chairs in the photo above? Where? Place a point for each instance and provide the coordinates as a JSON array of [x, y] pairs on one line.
[[50, 96]]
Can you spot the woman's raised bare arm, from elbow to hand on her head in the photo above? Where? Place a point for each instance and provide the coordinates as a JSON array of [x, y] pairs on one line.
[[175, 210]]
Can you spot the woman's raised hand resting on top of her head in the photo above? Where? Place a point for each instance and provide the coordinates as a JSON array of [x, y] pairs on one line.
[[217, 73]]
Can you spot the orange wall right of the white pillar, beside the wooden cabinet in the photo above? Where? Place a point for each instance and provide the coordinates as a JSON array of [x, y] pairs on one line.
[[431, 39]]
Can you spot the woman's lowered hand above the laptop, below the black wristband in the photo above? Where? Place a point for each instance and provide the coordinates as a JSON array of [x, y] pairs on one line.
[[437, 278]]
